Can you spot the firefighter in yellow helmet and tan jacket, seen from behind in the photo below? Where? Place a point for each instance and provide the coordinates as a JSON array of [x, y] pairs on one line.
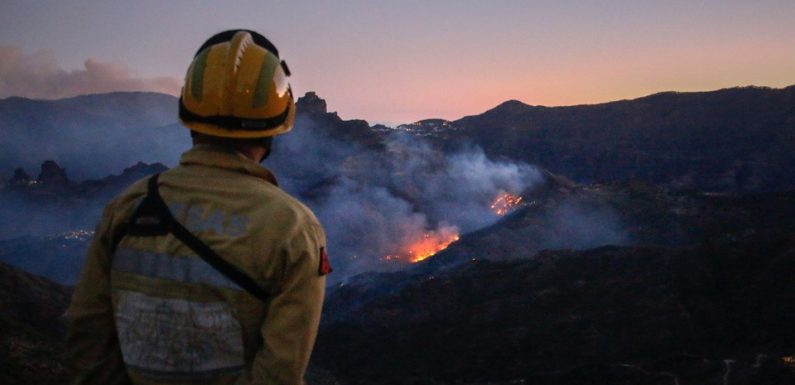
[[208, 272]]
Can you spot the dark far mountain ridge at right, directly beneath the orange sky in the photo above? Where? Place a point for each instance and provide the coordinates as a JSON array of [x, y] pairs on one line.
[[738, 139]]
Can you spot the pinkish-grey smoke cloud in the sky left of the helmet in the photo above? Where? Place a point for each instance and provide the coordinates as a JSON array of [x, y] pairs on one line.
[[38, 75]]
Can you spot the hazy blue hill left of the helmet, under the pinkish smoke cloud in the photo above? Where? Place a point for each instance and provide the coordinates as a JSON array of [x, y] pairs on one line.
[[91, 136]]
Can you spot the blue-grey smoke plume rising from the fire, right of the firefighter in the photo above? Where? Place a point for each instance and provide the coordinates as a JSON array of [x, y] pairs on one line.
[[373, 202]]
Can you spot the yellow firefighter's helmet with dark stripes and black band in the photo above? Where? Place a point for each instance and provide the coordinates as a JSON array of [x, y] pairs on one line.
[[236, 87]]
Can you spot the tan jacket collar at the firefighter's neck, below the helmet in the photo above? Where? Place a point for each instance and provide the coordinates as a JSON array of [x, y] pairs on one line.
[[222, 157]]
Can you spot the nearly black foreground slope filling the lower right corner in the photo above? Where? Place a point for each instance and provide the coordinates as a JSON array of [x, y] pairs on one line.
[[623, 315]]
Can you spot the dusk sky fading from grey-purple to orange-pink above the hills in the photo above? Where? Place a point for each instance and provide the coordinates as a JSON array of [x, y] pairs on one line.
[[403, 61]]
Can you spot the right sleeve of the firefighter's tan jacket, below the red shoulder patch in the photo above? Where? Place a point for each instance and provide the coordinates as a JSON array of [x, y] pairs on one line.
[[293, 314]]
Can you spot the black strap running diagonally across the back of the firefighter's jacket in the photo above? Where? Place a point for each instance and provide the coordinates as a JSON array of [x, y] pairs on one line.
[[152, 217]]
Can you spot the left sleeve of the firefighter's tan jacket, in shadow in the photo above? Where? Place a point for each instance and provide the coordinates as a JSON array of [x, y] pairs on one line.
[[92, 346]]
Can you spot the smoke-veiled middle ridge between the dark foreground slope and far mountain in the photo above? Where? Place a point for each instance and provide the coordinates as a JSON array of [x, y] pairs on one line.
[[562, 215]]
